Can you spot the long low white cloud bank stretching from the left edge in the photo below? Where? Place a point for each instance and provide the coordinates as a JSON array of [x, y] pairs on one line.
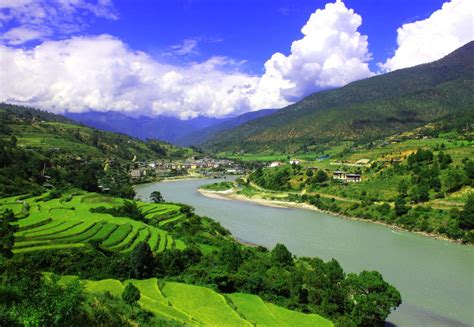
[[102, 73]]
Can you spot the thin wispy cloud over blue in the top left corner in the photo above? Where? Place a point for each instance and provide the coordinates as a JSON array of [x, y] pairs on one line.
[[26, 20]]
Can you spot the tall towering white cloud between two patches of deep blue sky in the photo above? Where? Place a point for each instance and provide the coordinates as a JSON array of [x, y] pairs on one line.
[[331, 53]]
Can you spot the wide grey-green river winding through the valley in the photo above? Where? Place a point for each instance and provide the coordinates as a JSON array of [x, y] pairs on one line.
[[435, 277]]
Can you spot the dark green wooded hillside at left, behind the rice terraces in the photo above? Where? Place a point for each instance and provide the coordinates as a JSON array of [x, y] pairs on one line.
[[39, 150]]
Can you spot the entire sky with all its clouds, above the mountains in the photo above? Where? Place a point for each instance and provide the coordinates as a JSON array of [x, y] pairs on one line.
[[212, 58]]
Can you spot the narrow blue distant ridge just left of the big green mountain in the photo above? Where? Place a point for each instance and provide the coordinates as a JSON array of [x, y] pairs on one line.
[[202, 135]]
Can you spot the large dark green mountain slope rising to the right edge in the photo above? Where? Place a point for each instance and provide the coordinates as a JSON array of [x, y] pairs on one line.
[[441, 91]]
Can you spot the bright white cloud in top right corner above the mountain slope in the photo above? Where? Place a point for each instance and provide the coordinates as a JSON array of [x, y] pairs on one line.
[[427, 40]]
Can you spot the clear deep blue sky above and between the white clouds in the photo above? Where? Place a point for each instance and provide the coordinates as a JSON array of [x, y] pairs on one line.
[[250, 30]]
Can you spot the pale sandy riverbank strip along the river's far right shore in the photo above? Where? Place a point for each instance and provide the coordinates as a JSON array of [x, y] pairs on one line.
[[231, 195]]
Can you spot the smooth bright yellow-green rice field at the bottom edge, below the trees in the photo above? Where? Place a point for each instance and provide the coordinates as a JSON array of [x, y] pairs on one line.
[[200, 306]]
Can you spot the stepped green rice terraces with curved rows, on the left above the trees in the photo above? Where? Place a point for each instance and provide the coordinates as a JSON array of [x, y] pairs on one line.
[[67, 223]]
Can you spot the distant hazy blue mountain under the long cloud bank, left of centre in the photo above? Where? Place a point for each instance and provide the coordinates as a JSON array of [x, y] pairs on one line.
[[168, 129]]
